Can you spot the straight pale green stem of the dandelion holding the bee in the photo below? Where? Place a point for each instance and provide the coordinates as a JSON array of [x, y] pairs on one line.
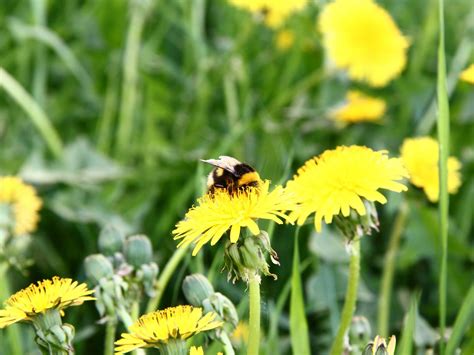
[[254, 316]]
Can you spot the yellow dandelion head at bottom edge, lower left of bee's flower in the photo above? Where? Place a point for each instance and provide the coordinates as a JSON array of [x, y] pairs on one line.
[[173, 323]]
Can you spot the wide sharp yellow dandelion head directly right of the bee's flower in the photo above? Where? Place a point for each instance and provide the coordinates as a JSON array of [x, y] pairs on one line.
[[338, 180]]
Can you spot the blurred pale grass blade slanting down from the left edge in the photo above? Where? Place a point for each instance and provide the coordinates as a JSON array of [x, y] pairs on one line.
[[33, 110]]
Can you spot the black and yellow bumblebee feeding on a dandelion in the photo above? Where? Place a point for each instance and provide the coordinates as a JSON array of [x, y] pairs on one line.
[[231, 175]]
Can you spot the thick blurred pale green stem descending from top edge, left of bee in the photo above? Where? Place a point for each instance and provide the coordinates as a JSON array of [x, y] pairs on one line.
[[130, 69]]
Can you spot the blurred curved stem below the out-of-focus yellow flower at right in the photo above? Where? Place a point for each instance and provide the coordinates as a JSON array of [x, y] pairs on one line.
[[389, 270]]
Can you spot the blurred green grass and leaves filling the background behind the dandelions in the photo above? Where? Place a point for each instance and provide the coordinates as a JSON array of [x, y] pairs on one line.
[[139, 91]]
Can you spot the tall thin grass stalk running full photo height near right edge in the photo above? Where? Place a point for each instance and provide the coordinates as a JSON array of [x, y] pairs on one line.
[[443, 137]]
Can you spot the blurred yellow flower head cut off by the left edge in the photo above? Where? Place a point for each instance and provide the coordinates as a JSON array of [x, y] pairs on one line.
[[24, 202]]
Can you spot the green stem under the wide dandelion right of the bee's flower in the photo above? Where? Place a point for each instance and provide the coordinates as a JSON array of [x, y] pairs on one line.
[[351, 299]]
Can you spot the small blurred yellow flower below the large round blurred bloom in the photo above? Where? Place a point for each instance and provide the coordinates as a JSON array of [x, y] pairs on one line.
[[359, 108]]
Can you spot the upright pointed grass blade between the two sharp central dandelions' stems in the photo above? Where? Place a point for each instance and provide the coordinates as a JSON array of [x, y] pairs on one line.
[[298, 323]]
